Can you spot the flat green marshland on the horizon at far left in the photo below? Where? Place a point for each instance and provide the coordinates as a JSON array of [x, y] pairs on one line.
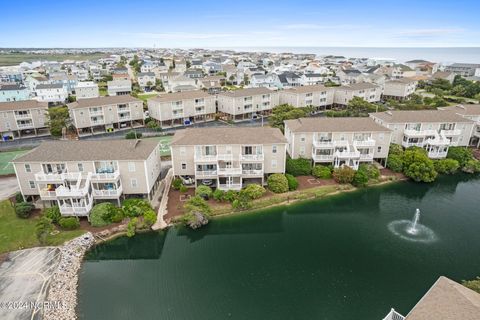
[[11, 59]]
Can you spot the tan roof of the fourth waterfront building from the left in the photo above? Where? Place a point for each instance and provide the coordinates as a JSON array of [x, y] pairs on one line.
[[415, 116]]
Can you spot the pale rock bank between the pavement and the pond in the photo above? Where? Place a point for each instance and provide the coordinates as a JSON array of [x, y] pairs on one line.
[[64, 281]]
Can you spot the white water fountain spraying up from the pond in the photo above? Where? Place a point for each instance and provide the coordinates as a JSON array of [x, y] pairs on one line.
[[412, 230]]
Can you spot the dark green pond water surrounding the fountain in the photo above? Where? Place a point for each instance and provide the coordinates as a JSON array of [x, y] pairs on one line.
[[326, 259]]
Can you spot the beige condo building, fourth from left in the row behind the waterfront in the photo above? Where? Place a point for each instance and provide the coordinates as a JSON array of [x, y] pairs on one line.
[[247, 103]]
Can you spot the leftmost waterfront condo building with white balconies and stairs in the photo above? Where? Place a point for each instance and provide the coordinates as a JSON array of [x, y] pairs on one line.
[[75, 174]]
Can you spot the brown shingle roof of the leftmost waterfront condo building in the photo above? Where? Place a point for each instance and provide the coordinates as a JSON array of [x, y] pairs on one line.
[[86, 150]]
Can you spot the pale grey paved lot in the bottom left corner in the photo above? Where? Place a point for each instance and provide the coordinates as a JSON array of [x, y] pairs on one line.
[[24, 279]]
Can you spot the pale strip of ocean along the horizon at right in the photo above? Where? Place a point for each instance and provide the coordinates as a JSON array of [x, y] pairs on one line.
[[444, 55]]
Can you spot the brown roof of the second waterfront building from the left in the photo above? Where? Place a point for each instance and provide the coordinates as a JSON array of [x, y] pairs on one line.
[[228, 135]]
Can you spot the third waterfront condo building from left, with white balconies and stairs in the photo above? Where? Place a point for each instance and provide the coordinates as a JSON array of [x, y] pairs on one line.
[[337, 141]]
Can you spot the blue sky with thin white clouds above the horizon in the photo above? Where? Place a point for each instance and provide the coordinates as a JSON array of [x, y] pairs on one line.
[[142, 23]]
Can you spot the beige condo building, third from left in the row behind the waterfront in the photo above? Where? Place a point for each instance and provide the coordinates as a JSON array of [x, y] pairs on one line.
[[182, 108]]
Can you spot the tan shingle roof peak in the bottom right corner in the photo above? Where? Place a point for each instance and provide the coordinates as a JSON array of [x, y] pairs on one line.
[[447, 300]]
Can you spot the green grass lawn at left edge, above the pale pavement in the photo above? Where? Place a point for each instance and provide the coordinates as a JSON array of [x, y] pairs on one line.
[[16, 233]]
